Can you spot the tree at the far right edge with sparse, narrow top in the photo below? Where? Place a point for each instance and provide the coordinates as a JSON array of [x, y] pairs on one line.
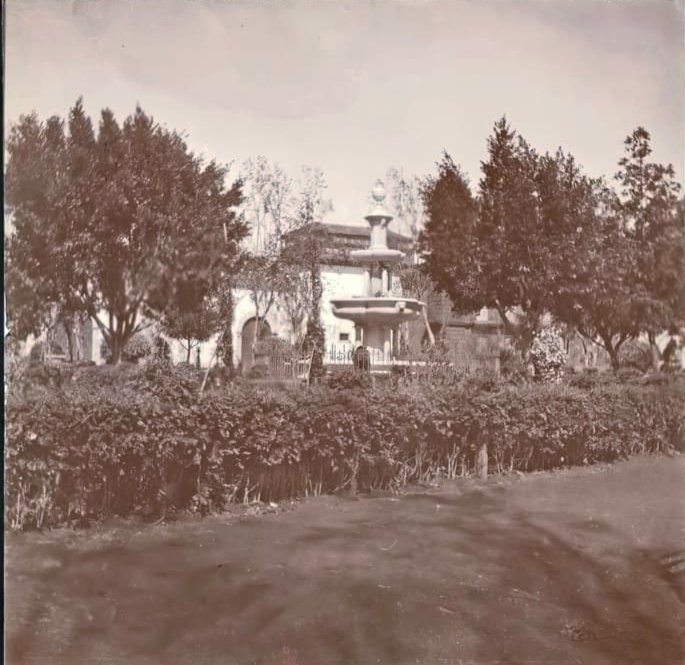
[[624, 273]]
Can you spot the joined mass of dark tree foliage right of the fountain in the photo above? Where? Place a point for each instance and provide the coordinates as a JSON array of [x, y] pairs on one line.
[[542, 238]]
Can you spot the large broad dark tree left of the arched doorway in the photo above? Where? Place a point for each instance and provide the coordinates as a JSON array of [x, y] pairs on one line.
[[118, 221]]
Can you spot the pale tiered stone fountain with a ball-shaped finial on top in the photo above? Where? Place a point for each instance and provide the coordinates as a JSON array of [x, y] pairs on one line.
[[378, 312]]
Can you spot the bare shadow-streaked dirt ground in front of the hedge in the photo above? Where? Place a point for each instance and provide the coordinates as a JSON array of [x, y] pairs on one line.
[[582, 566]]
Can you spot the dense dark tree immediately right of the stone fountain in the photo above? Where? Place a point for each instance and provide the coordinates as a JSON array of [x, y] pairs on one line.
[[516, 246]]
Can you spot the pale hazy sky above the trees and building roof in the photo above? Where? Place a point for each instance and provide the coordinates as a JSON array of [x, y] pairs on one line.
[[357, 87]]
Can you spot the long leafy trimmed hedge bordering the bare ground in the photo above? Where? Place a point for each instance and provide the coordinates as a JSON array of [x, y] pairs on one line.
[[146, 447]]
